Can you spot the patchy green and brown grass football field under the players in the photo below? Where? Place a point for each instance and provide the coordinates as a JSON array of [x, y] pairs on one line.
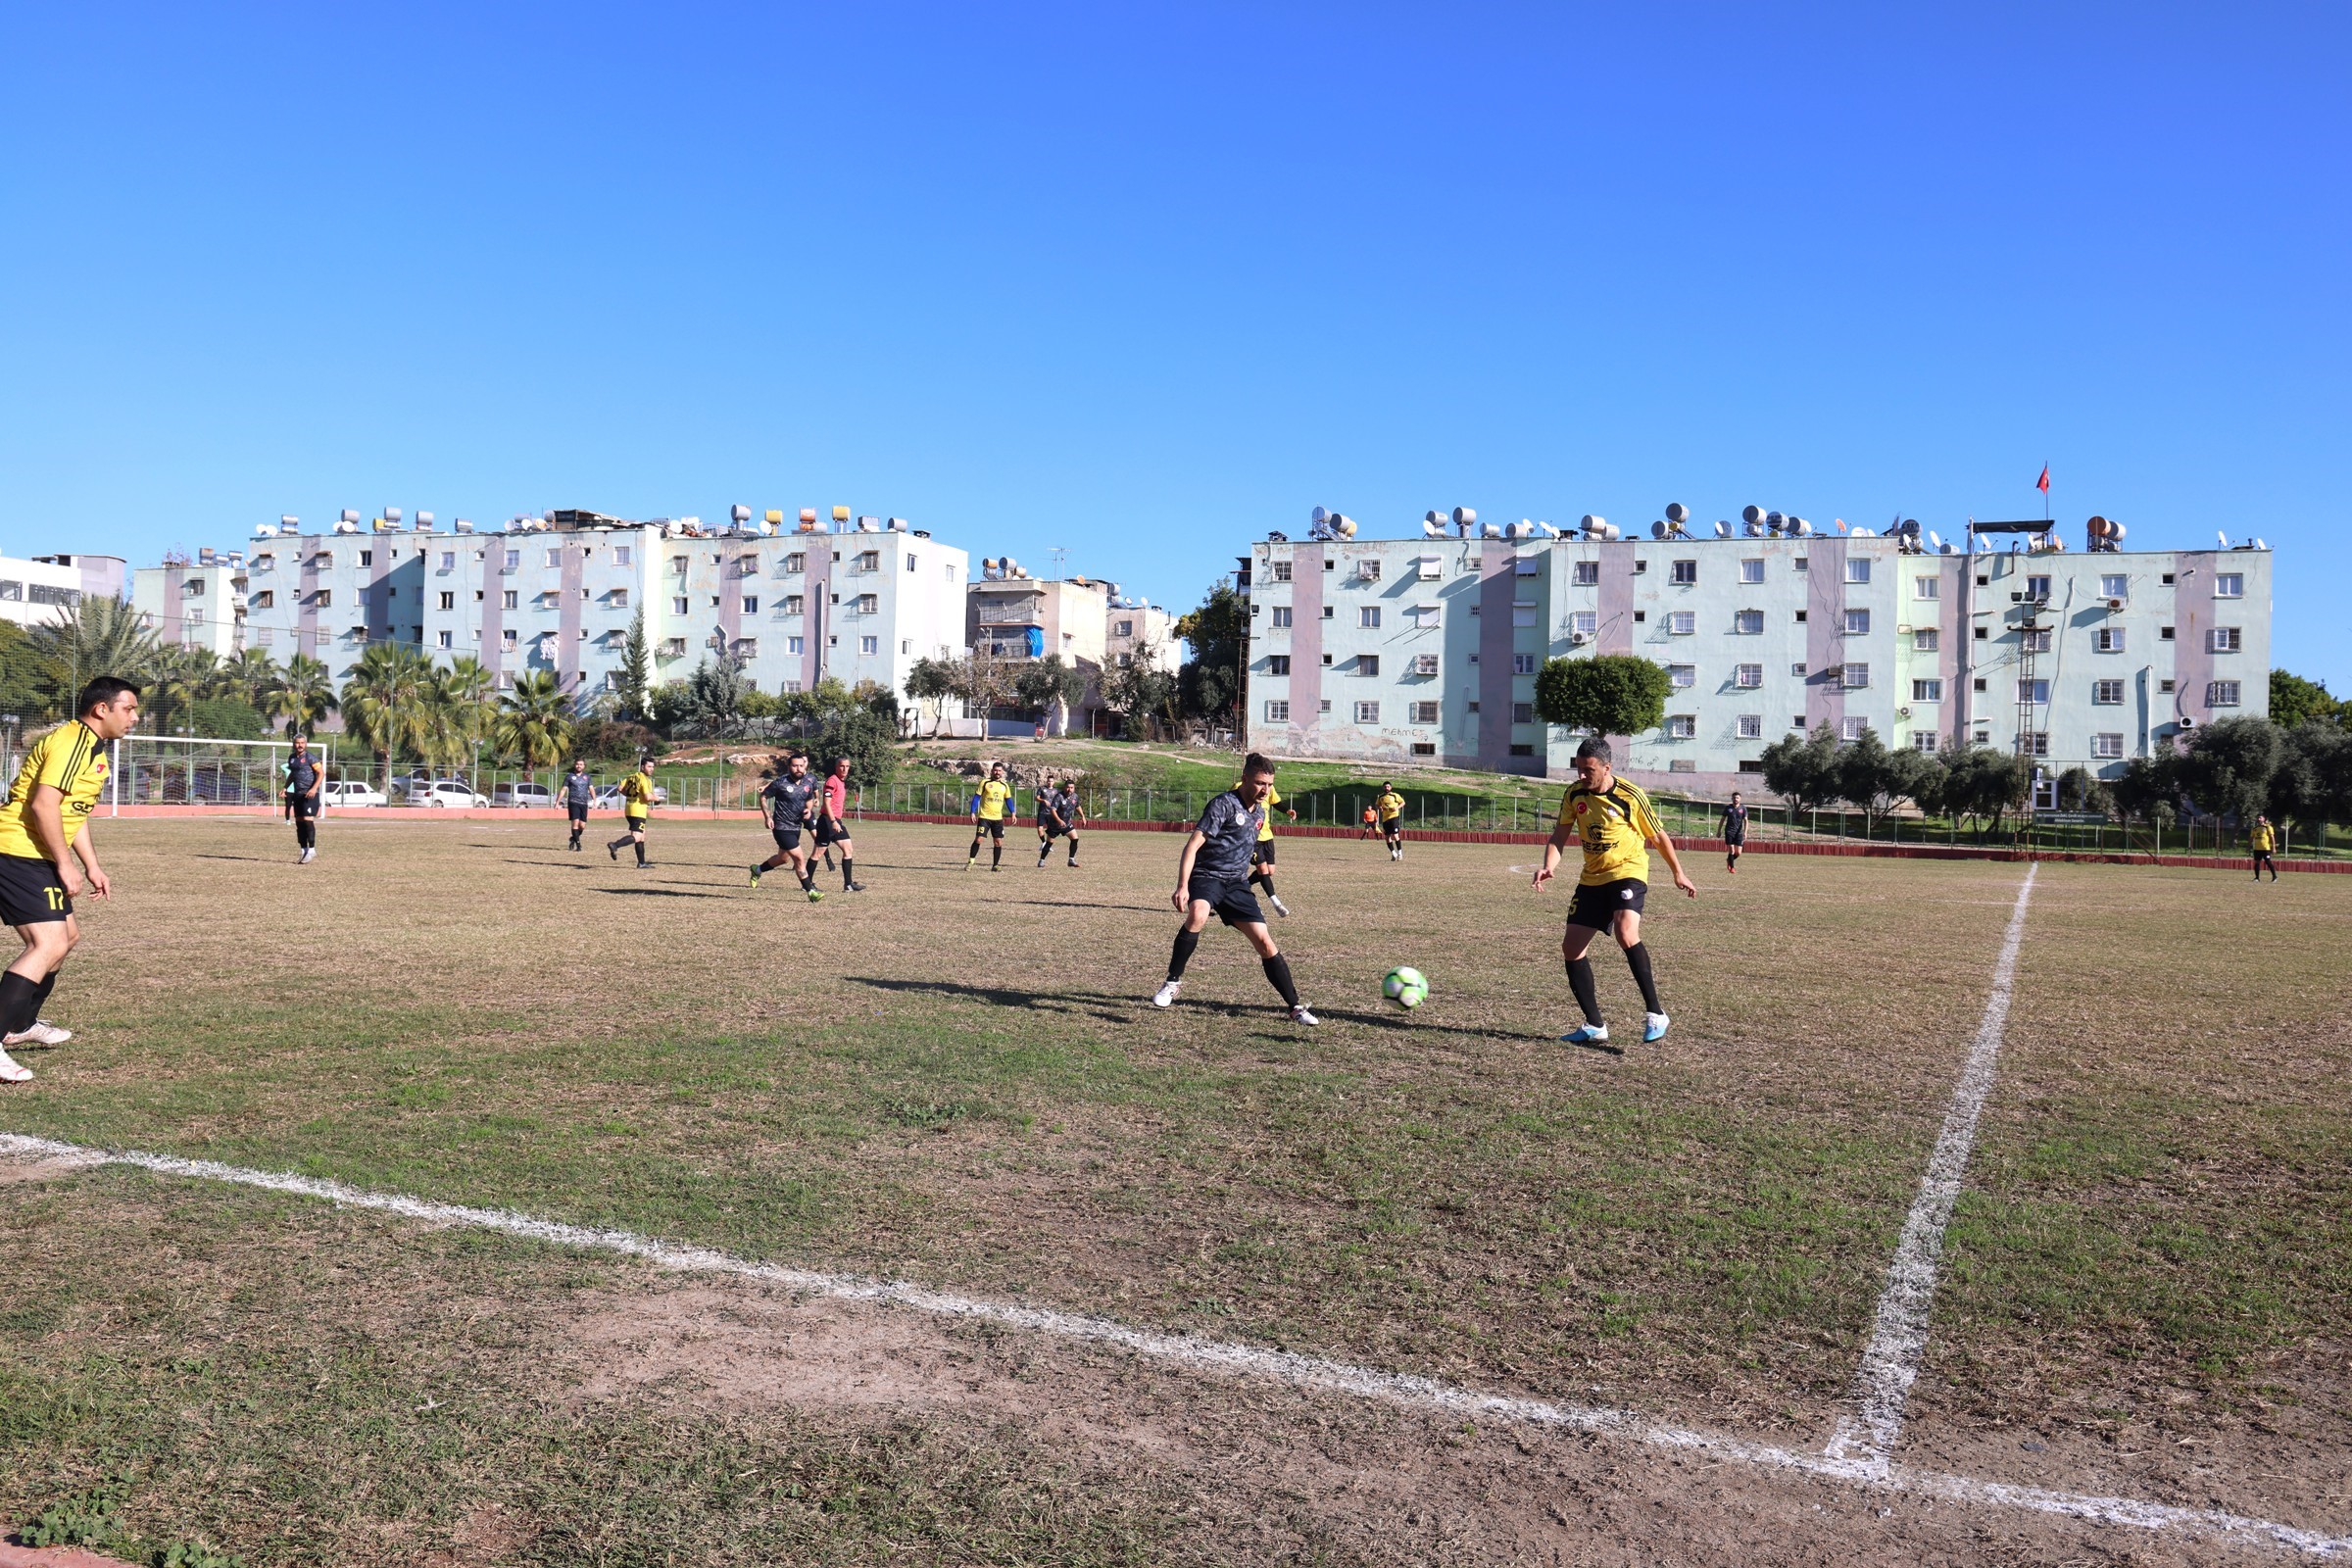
[[956, 1080]]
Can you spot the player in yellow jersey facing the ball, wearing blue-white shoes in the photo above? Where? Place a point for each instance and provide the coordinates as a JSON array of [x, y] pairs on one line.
[[1617, 829]]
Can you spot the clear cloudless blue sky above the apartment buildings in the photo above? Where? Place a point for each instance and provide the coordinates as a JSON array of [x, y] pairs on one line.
[[1149, 281]]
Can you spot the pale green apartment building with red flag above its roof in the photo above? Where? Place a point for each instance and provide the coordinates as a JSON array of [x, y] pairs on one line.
[[1426, 650]]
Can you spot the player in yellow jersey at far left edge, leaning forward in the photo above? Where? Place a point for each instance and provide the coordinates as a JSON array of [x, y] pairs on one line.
[[46, 859]]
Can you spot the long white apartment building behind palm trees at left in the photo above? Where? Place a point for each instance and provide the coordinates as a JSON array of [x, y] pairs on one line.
[[561, 591]]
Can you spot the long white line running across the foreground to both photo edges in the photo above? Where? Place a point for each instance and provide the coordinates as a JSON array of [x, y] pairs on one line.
[[1231, 1360]]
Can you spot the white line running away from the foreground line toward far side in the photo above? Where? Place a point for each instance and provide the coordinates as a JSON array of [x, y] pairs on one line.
[[1899, 1339]]
